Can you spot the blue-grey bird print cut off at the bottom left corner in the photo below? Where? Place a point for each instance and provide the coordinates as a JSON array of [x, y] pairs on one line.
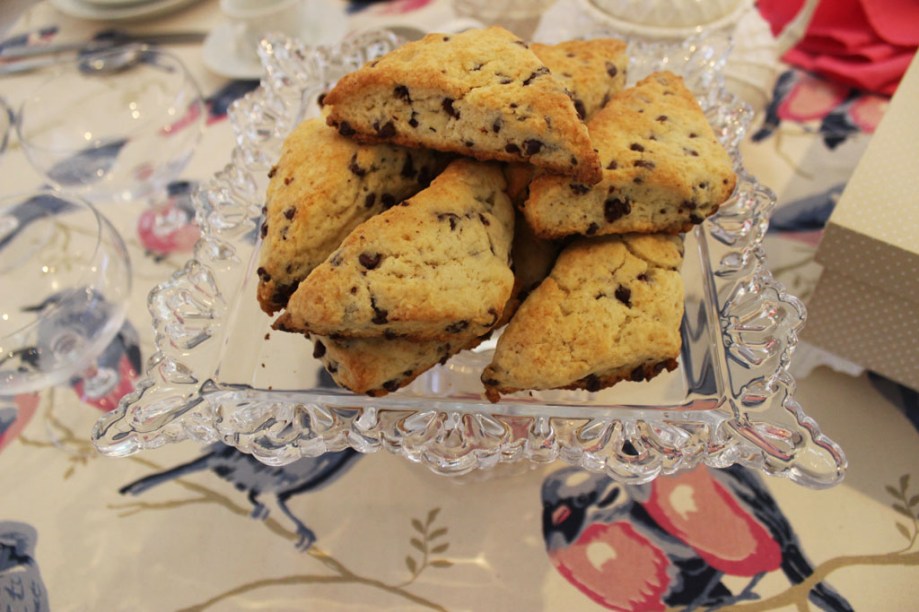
[[21, 586]]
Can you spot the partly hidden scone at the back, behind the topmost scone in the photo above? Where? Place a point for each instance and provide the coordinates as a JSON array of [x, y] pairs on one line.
[[592, 70]]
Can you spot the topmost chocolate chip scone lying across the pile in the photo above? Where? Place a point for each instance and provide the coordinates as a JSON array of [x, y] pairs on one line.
[[481, 93]]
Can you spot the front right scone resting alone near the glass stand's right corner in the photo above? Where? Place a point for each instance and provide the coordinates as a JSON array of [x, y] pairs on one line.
[[610, 310]]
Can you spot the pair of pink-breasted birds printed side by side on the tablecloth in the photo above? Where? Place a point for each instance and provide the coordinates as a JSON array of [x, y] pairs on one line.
[[670, 542]]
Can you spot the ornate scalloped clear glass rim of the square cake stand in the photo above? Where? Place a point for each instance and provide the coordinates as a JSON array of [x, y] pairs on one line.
[[756, 423]]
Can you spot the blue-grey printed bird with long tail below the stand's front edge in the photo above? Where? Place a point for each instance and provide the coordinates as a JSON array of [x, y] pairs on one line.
[[254, 478]]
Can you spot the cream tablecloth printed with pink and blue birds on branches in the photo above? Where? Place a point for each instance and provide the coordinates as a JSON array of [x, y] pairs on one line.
[[185, 527]]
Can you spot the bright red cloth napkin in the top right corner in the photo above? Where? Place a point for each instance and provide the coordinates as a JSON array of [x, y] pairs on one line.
[[867, 44]]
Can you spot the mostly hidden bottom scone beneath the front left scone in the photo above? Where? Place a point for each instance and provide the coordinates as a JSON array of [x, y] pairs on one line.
[[377, 366]]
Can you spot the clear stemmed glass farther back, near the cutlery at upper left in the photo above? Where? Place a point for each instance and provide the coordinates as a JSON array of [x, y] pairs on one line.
[[115, 125]]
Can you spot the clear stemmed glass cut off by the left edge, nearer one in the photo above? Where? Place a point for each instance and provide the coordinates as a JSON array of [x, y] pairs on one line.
[[66, 278]]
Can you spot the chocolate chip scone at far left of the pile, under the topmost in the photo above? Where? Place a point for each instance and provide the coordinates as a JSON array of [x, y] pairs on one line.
[[322, 187]]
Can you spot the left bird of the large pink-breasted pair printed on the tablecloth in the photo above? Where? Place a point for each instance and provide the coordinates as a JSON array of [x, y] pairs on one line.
[[602, 541]]
